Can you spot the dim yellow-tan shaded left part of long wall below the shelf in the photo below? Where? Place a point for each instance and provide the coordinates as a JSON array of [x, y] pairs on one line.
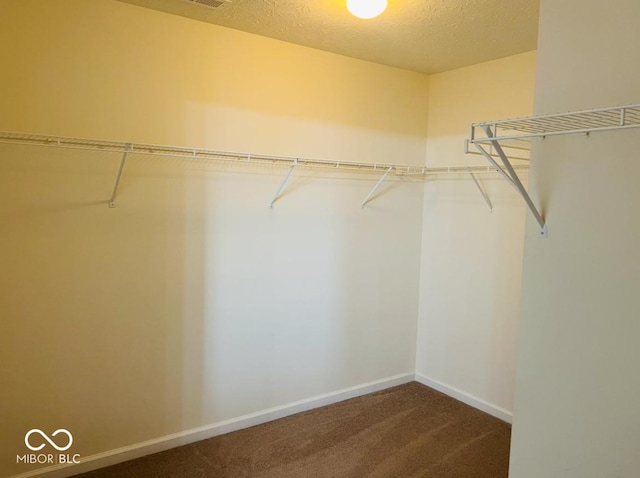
[[102, 322]]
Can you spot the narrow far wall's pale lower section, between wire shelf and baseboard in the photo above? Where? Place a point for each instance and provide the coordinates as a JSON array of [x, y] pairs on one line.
[[470, 288]]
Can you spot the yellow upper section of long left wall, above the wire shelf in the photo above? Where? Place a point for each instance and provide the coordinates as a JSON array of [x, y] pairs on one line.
[[121, 72]]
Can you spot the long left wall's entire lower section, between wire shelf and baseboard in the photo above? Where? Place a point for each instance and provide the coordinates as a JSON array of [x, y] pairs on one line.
[[192, 301]]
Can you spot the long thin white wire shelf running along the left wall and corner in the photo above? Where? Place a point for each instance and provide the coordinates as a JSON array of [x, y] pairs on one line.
[[206, 154]]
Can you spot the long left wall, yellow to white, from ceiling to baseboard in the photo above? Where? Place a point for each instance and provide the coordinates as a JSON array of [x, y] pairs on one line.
[[193, 302]]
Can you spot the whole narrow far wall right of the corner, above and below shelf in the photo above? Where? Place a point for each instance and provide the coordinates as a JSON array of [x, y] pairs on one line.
[[472, 258]]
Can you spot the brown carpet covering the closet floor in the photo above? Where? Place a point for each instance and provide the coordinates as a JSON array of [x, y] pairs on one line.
[[404, 432]]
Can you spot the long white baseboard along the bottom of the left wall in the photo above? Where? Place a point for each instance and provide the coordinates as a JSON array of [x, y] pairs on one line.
[[137, 450]]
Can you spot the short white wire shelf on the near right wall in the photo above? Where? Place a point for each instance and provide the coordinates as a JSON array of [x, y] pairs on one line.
[[577, 122]]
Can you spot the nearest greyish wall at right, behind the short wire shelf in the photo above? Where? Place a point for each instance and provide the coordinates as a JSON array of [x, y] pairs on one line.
[[578, 384]]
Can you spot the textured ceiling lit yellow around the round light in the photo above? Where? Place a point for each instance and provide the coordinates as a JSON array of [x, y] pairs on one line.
[[428, 36]]
